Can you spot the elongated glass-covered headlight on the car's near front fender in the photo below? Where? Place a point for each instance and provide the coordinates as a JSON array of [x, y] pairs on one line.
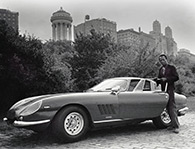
[[32, 108]]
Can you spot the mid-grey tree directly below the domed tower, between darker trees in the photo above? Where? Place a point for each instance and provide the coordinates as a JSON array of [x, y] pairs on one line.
[[56, 59]]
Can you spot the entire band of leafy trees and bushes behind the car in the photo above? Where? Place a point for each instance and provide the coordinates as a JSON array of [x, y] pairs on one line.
[[28, 67]]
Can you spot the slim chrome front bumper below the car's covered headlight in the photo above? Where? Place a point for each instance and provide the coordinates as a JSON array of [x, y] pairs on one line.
[[23, 123]]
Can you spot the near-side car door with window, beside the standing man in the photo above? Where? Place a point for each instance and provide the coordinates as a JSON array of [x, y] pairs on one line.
[[142, 101]]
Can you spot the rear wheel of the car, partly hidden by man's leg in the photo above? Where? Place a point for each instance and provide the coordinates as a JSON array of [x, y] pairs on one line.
[[162, 121]]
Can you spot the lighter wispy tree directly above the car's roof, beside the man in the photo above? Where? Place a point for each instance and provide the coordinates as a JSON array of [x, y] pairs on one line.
[[129, 61]]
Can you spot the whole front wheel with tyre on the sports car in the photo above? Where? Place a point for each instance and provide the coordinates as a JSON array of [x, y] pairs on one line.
[[70, 124]]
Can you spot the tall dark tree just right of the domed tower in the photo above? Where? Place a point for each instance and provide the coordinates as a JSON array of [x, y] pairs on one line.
[[90, 53]]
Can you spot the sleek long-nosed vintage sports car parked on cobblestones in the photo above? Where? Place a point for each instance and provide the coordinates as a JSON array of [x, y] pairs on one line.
[[114, 101]]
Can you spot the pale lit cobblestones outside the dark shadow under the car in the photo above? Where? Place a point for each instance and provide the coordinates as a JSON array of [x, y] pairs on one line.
[[143, 136]]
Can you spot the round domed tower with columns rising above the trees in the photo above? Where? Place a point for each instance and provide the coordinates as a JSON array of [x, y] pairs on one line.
[[61, 25]]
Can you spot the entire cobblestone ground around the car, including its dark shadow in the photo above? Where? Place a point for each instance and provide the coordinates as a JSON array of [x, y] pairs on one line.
[[142, 136]]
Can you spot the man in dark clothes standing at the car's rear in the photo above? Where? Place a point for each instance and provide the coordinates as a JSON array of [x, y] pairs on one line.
[[166, 77]]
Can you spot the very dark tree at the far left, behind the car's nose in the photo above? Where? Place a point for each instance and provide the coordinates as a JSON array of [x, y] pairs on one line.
[[21, 66]]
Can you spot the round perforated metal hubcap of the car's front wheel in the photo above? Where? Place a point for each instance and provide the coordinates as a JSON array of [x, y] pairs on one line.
[[74, 123]]
